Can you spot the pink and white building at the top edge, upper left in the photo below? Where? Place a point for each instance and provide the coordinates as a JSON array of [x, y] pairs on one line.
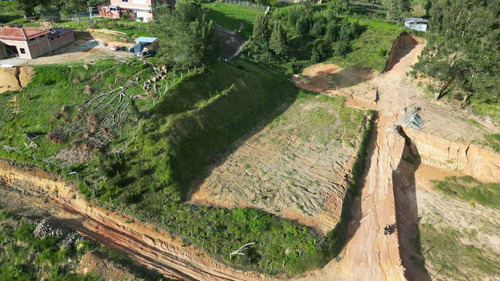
[[132, 9]]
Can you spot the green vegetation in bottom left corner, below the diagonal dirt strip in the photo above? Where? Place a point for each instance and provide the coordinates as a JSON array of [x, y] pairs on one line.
[[26, 257]]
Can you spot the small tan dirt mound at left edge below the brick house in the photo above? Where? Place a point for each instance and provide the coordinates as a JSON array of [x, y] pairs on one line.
[[15, 78]]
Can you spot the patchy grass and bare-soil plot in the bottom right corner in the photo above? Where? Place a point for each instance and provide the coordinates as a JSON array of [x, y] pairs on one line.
[[457, 224]]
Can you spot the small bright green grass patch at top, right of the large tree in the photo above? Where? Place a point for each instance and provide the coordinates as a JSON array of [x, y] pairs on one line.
[[230, 16]]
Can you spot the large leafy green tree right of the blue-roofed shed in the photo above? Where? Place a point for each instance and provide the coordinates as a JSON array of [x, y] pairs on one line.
[[186, 34]]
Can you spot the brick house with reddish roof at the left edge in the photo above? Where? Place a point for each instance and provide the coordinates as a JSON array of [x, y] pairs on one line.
[[32, 43]]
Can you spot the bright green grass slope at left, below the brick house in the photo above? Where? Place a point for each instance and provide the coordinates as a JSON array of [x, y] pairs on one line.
[[35, 107]]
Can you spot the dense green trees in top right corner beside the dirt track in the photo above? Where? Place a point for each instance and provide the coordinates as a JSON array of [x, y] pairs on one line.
[[463, 50]]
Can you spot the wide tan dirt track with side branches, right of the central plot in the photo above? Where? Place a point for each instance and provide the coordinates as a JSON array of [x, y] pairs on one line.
[[388, 194]]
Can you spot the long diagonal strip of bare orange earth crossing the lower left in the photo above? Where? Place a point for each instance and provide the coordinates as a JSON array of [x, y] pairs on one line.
[[140, 241]]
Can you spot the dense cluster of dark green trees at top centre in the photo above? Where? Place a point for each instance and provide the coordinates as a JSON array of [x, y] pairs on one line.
[[302, 34]]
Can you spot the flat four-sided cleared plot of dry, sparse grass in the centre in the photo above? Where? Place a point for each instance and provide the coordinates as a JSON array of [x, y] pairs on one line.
[[296, 167]]
